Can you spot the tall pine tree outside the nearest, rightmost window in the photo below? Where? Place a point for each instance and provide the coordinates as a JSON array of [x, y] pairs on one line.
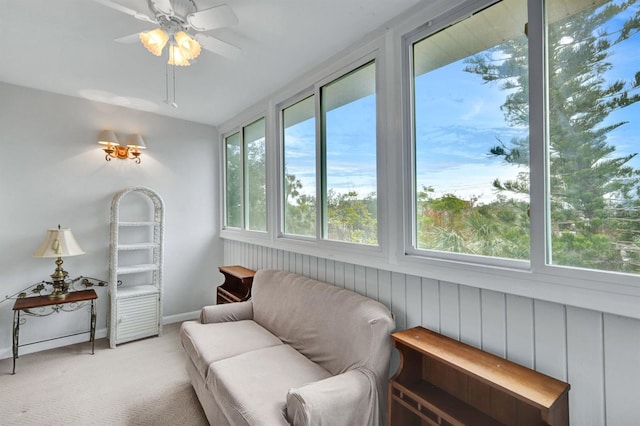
[[593, 192]]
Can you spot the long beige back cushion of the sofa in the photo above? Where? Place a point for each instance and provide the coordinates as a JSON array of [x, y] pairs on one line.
[[334, 327]]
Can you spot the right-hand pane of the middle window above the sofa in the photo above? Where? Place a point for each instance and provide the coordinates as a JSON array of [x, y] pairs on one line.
[[349, 124]]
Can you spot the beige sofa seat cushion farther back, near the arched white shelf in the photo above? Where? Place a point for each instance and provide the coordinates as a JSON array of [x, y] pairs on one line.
[[231, 338]]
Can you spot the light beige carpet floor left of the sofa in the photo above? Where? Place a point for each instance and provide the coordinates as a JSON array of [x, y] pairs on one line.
[[138, 383]]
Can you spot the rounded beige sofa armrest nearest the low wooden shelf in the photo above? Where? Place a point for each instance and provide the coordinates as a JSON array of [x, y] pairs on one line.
[[347, 399]]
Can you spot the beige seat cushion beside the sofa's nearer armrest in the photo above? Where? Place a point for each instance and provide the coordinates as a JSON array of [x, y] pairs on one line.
[[251, 389]]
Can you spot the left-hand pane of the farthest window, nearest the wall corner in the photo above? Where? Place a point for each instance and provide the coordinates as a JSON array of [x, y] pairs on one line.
[[233, 180]]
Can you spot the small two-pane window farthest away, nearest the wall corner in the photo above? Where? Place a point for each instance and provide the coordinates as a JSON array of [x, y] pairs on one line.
[[245, 178]]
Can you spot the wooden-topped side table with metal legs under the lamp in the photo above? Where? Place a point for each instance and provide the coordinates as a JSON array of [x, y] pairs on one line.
[[71, 302]]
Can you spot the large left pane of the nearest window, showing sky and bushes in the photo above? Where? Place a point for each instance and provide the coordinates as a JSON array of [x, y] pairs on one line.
[[470, 95]]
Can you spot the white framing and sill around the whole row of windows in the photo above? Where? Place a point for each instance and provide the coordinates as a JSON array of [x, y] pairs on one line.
[[609, 292]]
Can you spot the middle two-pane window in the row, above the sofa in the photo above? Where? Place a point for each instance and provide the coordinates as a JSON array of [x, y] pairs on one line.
[[347, 168]]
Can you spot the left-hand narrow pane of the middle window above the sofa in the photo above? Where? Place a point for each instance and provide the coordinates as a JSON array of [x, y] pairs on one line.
[[299, 139]]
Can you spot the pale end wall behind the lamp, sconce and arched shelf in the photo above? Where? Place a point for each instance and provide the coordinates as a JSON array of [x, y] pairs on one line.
[[53, 172]]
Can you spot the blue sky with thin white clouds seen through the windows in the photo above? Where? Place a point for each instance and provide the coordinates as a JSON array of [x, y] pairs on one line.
[[460, 119]]
